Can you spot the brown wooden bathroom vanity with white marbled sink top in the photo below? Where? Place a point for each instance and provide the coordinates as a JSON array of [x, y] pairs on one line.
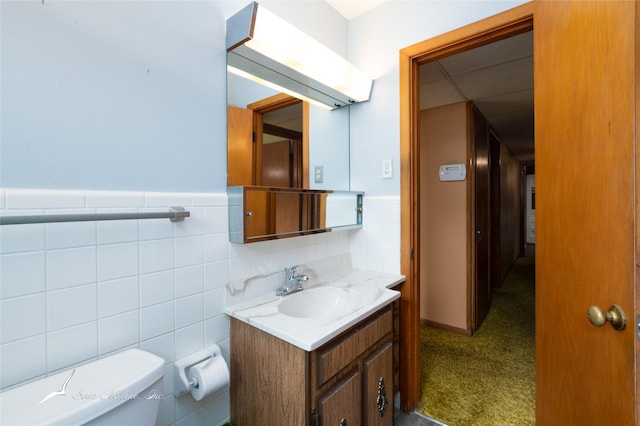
[[309, 368]]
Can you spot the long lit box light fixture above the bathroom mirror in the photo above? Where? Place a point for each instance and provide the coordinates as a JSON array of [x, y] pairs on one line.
[[263, 47]]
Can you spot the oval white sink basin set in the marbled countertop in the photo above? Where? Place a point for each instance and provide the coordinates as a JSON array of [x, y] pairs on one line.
[[315, 302]]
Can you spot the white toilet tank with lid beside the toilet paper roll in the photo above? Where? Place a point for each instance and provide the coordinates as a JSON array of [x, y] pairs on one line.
[[121, 389]]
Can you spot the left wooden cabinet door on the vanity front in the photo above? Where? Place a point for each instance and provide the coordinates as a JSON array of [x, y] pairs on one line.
[[341, 405]]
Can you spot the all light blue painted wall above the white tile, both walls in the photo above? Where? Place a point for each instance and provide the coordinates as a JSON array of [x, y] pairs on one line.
[[131, 95]]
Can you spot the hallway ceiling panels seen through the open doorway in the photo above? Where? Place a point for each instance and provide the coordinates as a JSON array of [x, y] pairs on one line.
[[498, 78]]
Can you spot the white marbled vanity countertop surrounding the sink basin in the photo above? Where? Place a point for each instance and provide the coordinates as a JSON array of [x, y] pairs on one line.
[[366, 292]]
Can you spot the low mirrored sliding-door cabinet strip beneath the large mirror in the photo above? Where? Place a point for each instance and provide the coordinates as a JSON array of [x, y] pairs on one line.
[[260, 213]]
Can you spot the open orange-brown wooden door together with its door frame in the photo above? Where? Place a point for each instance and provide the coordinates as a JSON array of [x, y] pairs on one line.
[[586, 177]]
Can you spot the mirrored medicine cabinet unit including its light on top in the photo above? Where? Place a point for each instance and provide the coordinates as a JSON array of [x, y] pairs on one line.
[[288, 159]]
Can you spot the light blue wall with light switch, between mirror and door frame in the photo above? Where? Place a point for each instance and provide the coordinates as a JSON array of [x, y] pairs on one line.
[[375, 40]]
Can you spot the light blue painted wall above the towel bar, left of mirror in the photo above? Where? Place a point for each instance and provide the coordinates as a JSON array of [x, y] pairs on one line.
[[124, 95]]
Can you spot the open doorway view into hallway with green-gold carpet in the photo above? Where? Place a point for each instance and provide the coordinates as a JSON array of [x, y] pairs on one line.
[[469, 232]]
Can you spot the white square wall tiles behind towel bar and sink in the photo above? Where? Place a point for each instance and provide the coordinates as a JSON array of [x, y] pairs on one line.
[[74, 292]]
